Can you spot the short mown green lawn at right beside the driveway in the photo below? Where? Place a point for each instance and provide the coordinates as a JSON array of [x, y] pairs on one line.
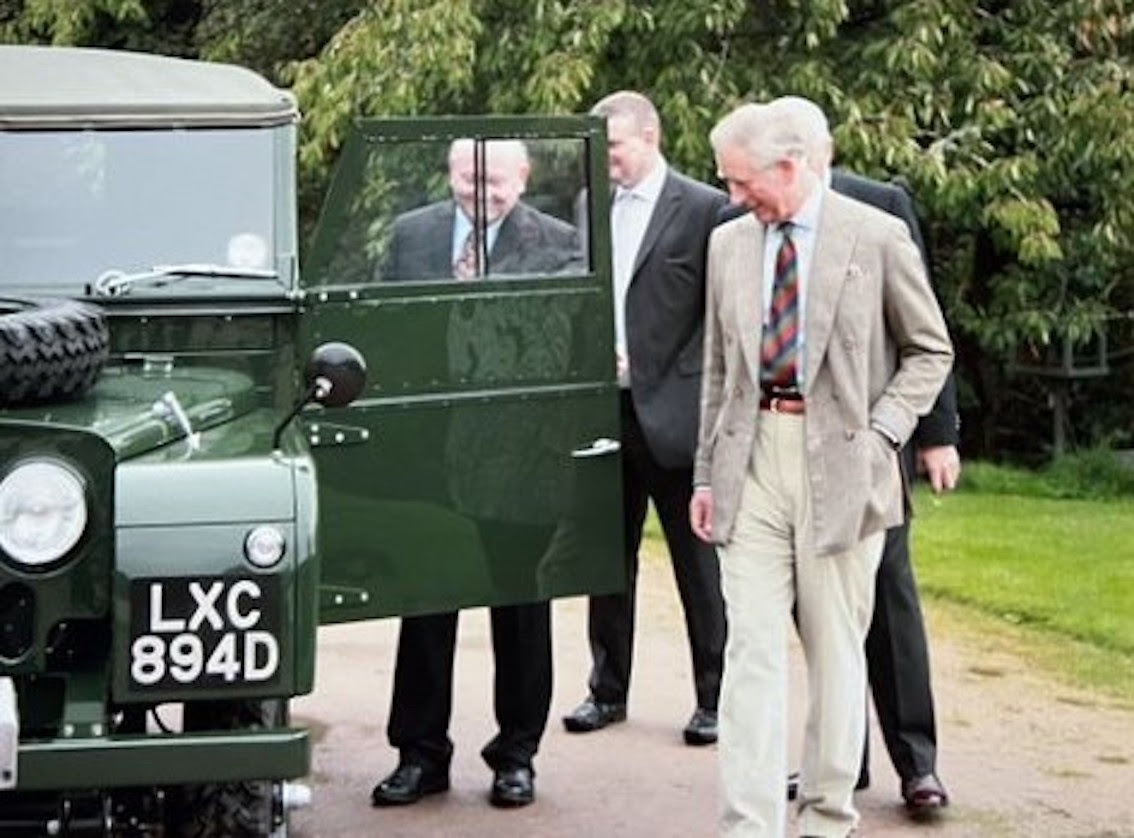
[[1063, 570]]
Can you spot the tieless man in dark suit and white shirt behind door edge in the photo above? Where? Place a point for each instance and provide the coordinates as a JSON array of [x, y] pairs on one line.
[[661, 224]]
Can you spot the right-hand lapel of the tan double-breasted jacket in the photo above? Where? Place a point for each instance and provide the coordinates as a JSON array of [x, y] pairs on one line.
[[831, 267]]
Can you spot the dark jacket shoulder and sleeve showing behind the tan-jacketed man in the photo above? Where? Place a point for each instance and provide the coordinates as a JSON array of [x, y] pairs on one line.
[[940, 426]]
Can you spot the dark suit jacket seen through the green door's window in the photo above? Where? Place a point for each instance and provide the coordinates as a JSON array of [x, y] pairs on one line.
[[529, 242]]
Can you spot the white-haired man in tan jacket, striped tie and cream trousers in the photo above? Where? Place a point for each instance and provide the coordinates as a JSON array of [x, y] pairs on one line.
[[824, 344]]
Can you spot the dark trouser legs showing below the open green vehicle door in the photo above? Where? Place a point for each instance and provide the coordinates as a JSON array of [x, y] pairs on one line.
[[422, 705]]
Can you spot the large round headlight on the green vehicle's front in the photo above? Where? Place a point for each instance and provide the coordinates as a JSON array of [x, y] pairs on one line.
[[43, 512]]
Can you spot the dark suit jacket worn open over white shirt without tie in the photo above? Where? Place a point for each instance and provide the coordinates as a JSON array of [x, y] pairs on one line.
[[665, 315]]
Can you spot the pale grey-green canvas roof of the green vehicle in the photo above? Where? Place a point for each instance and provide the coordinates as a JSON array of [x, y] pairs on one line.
[[66, 88]]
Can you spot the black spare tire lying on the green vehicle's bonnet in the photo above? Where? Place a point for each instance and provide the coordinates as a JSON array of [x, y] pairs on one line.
[[50, 350]]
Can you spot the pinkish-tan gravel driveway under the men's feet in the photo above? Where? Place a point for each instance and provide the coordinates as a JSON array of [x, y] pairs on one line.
[[1020, 755]]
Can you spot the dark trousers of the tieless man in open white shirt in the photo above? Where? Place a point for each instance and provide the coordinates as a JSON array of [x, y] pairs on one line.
[[696, 570]]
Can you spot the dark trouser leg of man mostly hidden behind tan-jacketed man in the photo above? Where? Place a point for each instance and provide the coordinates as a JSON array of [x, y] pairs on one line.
[[898, 663]]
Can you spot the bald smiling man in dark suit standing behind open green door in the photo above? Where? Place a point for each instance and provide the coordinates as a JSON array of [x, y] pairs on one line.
[[454, 240]]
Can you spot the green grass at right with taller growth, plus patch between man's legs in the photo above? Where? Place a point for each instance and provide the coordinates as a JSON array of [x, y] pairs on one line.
[[1034, 562]]
